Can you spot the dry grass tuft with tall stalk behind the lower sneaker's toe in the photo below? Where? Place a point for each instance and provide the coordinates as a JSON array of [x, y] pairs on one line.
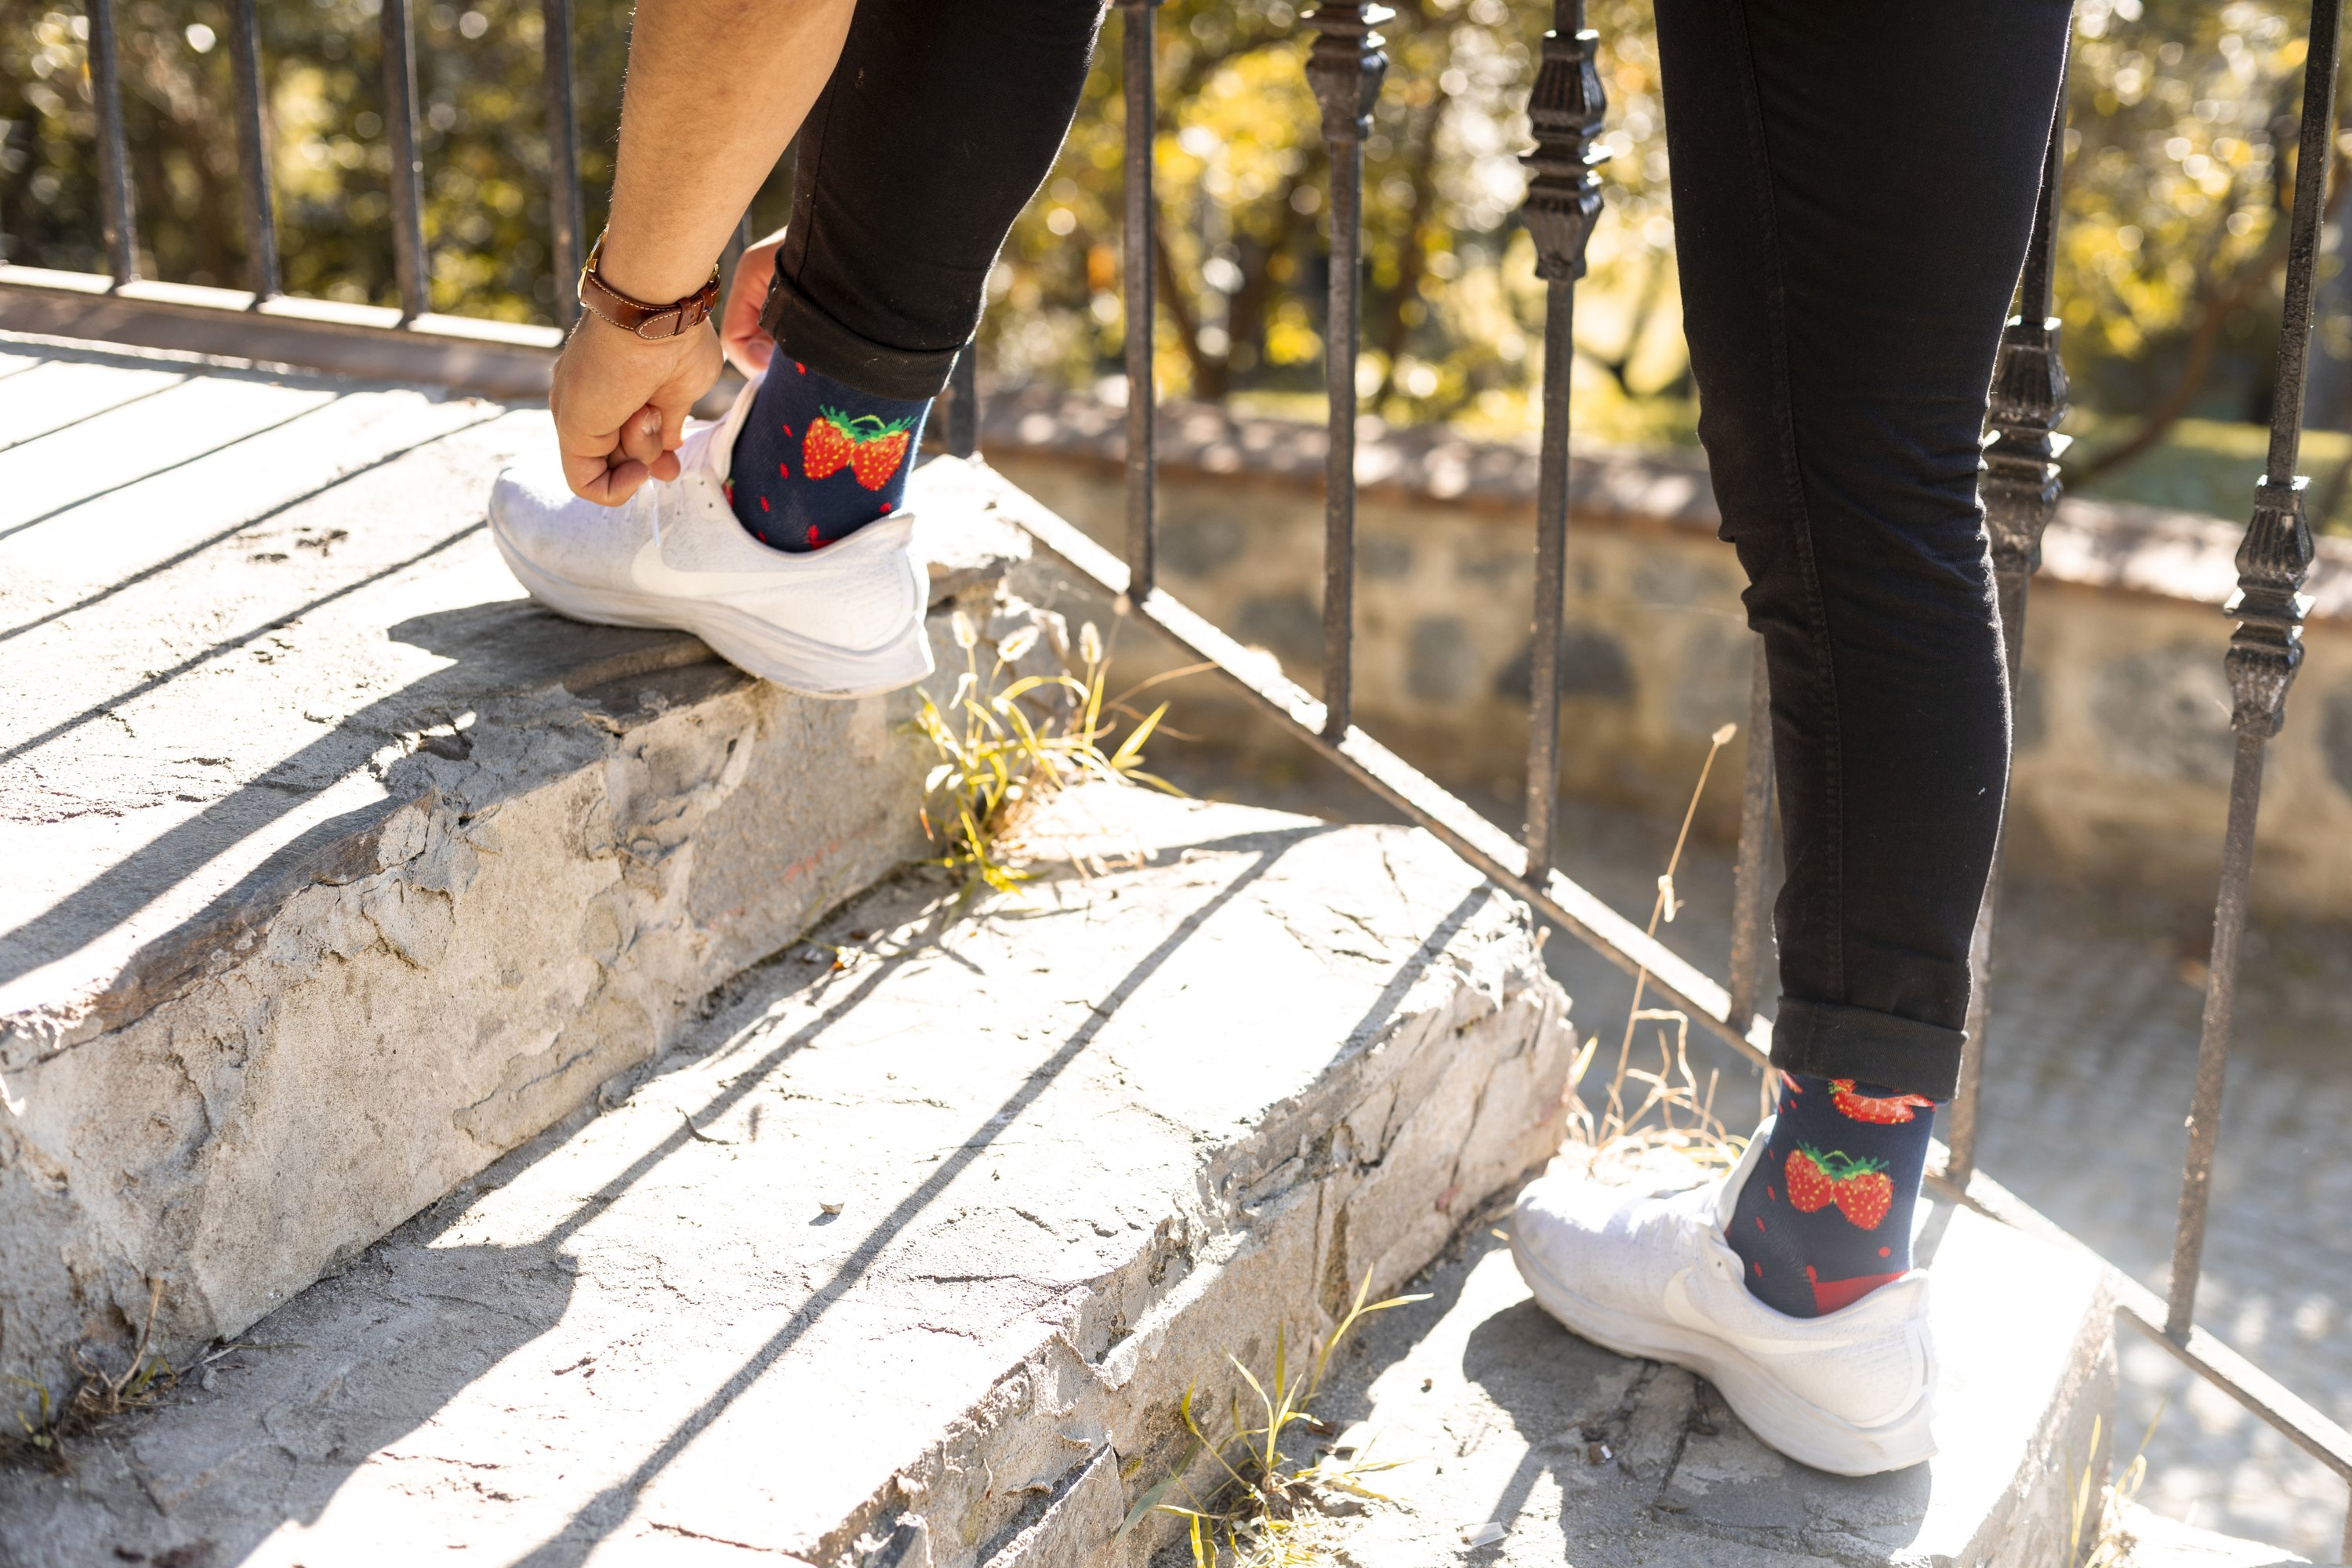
[[1655, 1115]]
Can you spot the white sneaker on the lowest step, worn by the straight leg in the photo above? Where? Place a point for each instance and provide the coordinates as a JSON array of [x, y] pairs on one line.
[[1652, 1278]]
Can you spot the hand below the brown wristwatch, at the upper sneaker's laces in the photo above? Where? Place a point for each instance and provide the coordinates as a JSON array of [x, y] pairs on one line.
[[622, 406]]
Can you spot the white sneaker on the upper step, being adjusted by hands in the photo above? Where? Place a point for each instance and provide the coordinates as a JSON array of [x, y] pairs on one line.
[[836, 622]]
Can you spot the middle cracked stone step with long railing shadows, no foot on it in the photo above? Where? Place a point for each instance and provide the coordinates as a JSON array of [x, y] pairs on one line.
[[904, 1257]]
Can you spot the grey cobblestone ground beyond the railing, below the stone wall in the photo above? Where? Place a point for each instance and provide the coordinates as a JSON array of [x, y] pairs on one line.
[[2092, 1057]]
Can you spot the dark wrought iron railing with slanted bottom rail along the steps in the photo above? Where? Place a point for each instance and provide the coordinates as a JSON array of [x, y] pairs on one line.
[[1563, 203]]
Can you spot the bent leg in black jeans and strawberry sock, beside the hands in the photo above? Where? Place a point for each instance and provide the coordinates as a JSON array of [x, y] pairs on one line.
[[937, 128]]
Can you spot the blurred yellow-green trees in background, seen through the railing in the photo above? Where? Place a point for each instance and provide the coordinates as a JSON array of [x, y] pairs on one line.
[[2179, 173]]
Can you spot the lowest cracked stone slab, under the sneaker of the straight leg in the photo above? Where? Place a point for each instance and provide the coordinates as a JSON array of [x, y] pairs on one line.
[[1499, 1416]]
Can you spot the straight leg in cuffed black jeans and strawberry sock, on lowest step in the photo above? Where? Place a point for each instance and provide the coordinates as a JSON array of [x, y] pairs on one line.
[[1855, 187]]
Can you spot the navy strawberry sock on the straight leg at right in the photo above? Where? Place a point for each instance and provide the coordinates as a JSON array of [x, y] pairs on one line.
[[1826, 1214]]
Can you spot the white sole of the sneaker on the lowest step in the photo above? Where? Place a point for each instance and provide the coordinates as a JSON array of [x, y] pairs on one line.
[[1756, 1395]]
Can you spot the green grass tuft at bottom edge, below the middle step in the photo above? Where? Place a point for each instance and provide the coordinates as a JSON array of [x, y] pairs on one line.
[[1269, 1510]]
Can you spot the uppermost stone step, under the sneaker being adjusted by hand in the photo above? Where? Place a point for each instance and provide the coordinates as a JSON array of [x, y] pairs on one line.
[[335, 866]]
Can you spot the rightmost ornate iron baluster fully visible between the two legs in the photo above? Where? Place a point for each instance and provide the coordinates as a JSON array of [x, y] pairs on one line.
[[1563, 206]]
